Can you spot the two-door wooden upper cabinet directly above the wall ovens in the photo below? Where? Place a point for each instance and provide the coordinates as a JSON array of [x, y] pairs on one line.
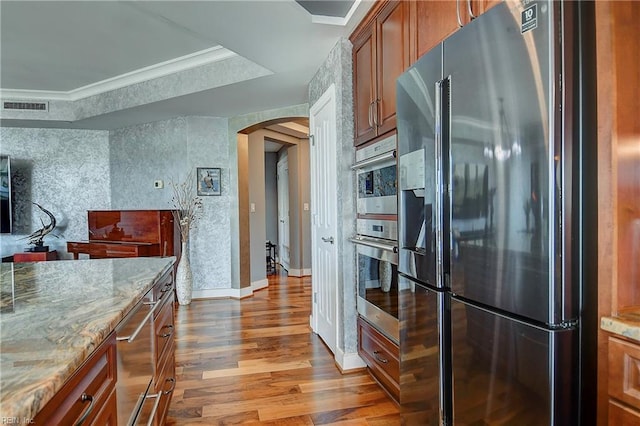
[[380, 55]]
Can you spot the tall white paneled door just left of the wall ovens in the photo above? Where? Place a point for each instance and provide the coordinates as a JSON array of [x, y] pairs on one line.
[[324, 256]]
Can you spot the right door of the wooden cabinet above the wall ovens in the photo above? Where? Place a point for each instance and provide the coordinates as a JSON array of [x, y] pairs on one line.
[[392, 33]]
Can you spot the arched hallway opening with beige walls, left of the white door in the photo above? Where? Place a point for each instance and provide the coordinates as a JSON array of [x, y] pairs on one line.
[[258, 146]]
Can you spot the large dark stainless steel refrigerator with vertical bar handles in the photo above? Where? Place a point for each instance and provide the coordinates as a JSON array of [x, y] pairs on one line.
[[489, 200]]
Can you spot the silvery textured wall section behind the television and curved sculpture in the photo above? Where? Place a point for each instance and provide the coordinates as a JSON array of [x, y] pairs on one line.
[[65, 171]]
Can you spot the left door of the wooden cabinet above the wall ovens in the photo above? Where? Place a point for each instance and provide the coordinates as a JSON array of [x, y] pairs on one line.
[[364, 95]]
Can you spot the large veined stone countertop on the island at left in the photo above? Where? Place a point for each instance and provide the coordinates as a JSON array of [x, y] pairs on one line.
[[53, 315]]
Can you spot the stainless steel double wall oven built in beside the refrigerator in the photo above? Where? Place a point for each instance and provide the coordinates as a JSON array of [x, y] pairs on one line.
[[377, 235]]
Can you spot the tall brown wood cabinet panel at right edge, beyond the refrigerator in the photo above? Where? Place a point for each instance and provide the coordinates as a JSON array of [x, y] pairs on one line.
[[625, 134]]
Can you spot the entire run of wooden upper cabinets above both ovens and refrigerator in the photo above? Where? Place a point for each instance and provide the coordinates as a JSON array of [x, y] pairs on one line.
[[392, 36]]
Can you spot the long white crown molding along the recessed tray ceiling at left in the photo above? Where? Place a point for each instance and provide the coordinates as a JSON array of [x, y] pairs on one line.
[[162, 69]]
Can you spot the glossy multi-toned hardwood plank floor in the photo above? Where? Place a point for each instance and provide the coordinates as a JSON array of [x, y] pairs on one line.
[[256, 361]]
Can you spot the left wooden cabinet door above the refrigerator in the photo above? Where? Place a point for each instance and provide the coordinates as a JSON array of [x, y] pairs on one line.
[[434, 21]]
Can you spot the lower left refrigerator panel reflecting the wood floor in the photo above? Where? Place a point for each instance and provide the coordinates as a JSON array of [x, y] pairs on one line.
[[420, 353]]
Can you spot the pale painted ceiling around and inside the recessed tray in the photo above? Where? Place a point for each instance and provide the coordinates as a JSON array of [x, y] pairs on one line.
[[51, 49]]
